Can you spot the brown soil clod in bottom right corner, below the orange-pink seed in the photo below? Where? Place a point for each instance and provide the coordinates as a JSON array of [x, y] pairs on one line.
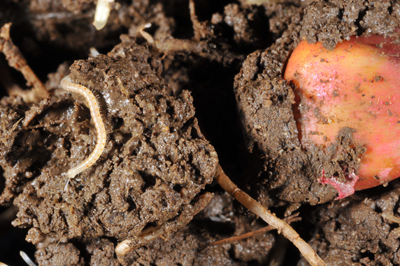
[[362, 230]]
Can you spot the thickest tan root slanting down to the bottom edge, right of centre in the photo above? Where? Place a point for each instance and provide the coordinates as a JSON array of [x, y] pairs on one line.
[[309, 254]]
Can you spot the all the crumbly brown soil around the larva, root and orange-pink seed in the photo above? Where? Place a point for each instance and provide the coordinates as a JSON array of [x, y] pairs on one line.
[[201, 86]]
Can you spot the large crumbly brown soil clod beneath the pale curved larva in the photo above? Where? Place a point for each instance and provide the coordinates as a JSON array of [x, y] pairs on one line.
[[155, 162]]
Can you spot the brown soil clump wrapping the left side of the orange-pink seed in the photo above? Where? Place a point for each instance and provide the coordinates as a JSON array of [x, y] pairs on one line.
[[266, 101]]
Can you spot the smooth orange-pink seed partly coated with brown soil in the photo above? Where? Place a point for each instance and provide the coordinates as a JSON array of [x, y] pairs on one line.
[[356, 85]]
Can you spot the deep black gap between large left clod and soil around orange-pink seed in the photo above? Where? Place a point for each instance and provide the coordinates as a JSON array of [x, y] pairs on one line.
[[218, 118]]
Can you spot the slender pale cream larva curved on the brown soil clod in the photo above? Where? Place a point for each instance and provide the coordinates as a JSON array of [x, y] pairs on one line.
[[94, 107]]
